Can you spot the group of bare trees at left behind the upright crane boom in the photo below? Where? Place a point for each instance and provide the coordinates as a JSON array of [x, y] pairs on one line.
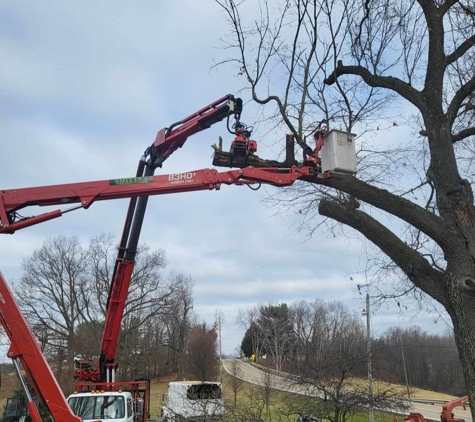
[[63, 293]]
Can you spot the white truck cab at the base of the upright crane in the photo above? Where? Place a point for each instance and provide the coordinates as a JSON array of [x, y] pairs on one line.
[[113, 406]]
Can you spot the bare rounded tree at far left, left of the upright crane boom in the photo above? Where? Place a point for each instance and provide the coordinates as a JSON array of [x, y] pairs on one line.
[[53, 293]]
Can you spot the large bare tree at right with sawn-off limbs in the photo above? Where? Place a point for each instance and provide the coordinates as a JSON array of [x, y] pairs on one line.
[[335, 58]]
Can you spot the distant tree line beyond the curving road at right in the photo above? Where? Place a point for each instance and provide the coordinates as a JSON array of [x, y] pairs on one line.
[[324, 342]]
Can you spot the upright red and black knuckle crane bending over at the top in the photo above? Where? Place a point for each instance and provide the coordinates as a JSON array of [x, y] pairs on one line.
[[166, 142]]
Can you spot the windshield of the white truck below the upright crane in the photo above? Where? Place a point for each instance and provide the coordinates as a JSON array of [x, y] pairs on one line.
[[98, 407]]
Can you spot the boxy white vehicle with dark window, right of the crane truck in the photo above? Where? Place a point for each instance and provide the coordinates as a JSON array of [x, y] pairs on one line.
[[193, 400]]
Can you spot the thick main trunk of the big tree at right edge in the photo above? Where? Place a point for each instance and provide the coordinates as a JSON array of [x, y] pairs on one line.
[[454, 198]]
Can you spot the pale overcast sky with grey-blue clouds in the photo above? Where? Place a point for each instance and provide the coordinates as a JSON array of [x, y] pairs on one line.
[[85, 86]]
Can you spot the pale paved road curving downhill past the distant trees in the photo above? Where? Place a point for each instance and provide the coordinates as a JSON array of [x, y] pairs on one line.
[[253, 375]]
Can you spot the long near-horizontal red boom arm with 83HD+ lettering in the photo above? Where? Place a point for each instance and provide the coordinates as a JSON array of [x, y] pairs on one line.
[[87, 193]]
